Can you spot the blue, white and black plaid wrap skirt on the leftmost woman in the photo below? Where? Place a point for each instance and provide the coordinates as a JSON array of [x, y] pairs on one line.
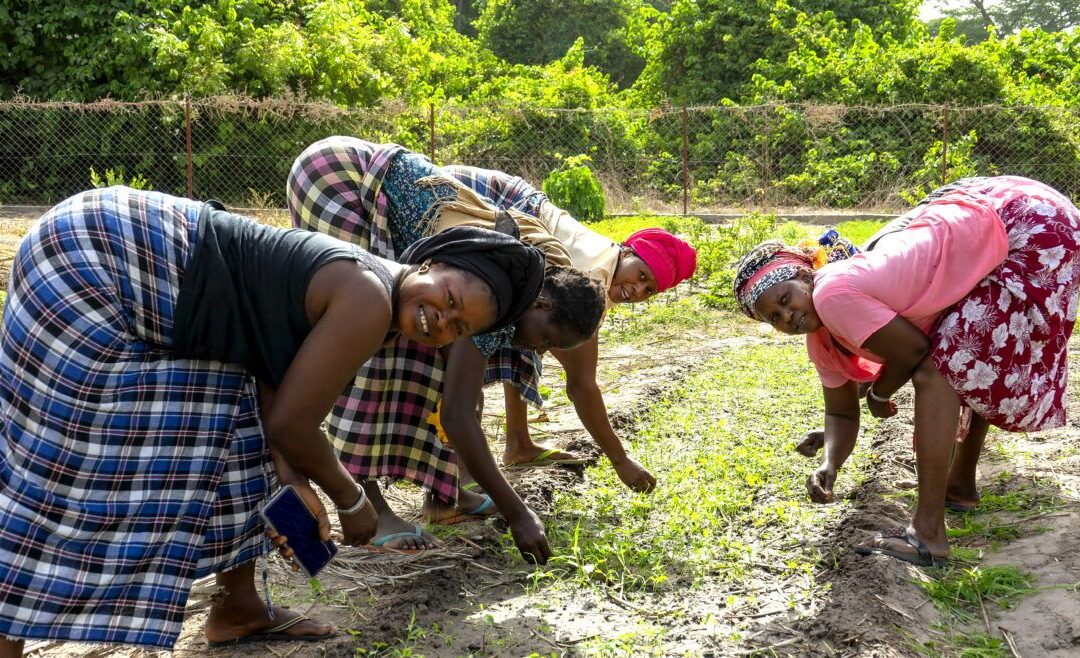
[[126, 474]]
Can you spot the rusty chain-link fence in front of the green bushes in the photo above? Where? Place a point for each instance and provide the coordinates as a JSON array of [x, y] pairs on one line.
[[668, 159]]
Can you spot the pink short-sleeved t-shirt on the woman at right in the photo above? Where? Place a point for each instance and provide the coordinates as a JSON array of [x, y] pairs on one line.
[[917, 274]]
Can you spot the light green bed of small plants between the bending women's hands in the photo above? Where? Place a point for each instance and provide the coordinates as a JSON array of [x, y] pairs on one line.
[[732, 501]]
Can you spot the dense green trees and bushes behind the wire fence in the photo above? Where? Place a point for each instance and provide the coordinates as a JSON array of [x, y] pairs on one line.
[[521, 82]]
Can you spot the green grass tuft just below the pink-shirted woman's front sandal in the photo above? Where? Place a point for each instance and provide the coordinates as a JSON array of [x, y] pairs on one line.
[[961, 593]]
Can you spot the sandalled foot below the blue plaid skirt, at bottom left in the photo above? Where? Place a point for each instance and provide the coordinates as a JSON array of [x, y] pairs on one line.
[[226, 626]]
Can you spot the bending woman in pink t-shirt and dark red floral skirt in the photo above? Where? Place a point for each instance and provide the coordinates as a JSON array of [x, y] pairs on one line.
[[974, 302]]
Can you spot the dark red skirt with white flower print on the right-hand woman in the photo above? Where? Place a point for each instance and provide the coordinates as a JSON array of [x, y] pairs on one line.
[[1005, 347]]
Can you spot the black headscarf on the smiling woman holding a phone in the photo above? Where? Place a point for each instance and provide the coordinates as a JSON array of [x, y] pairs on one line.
[[512, 270]]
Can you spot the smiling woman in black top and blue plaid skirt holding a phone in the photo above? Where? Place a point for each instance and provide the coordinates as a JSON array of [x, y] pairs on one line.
[[163, 364]]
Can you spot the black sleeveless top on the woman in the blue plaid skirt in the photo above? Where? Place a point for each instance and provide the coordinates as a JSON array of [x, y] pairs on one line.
[[242, 296]]
